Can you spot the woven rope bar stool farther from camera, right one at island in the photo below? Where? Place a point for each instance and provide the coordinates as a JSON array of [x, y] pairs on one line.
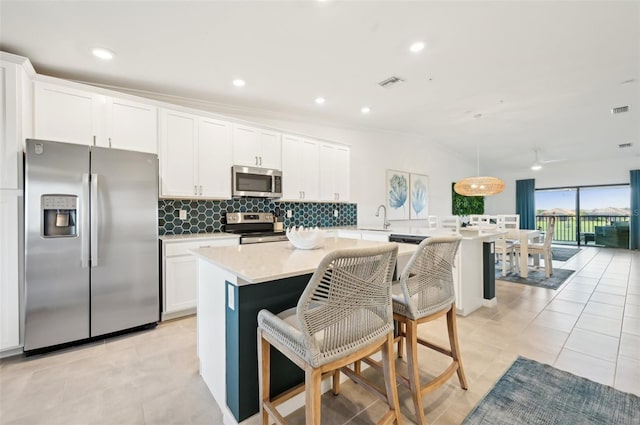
[[424, 293]]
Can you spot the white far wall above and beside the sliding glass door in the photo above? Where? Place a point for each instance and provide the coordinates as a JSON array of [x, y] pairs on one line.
[[563, 174]]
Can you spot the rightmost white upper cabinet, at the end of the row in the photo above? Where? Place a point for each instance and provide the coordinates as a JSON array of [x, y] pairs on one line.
[[334, 172]]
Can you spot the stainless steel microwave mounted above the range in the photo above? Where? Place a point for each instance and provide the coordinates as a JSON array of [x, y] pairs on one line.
[[257, 182]]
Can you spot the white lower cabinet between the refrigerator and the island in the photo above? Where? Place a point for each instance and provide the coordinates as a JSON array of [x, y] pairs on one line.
[[179, 274]]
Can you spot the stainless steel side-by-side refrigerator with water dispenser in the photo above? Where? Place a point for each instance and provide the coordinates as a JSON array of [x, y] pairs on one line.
[[91, 262]]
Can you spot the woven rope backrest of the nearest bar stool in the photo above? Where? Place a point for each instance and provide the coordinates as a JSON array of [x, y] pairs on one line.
[[347, 302]]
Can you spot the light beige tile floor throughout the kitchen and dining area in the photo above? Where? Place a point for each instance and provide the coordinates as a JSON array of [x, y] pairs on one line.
[[590, 326]]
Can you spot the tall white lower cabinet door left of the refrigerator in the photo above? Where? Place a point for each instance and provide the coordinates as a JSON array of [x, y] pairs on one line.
[[9, 281]]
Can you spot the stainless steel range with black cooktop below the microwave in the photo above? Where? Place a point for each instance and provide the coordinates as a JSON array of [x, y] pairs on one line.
[[253, 227]]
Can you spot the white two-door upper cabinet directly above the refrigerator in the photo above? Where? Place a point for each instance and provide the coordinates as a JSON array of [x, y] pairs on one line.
[[72, 115]]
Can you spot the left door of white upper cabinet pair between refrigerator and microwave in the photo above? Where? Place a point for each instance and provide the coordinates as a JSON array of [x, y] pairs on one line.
[[178, 168]]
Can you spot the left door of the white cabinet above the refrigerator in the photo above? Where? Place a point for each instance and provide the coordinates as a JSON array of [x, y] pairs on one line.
[[68, 115]]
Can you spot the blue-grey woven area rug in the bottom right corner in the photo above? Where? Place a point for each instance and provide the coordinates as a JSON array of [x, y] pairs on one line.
[[534, 393]]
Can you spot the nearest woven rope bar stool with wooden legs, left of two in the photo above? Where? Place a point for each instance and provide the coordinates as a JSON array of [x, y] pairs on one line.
[[343, 314]]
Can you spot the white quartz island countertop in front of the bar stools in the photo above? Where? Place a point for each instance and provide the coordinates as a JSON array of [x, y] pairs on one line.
[[256, 263]]
